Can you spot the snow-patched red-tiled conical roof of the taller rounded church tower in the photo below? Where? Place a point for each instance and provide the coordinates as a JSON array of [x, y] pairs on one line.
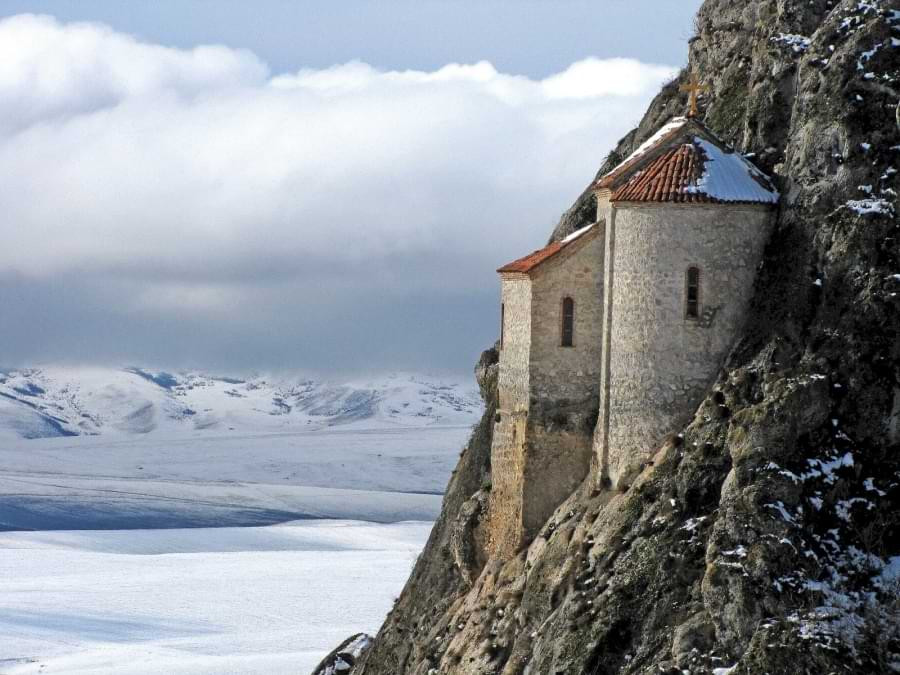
[[684, 162]]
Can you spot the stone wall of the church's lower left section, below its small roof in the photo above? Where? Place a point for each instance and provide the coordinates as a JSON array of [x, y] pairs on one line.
[[548, 393]]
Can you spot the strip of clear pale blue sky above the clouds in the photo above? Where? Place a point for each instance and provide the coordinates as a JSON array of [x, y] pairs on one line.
[[526, 37]]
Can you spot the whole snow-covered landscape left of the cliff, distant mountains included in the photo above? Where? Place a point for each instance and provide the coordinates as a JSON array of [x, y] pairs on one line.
[[253, 544]]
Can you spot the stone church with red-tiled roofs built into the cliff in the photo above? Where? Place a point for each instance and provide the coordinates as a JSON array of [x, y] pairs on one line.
[[611, 336]]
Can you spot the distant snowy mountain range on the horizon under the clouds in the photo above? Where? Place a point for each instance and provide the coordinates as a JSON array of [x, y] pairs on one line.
[[69, 401]]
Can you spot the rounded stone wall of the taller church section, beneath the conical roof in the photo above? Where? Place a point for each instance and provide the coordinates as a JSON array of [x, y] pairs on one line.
[[660, 362]]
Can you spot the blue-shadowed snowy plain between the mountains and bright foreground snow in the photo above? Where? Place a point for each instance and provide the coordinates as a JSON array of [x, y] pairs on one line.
[[209, 480]]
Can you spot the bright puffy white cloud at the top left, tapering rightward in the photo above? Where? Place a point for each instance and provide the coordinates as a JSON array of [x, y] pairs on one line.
[[50, 72]]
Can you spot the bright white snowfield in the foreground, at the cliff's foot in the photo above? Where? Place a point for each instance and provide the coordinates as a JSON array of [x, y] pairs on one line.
[[267, 600]]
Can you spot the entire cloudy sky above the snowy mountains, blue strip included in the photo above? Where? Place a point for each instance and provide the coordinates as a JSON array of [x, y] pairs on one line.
[[316, 186]]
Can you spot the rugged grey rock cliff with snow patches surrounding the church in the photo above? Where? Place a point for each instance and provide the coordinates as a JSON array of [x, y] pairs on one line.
[[765, 535]]
